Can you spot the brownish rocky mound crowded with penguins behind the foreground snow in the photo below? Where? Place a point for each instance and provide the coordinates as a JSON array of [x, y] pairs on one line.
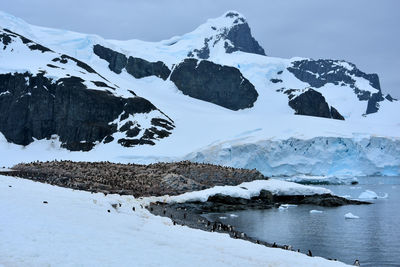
[[134, 179]]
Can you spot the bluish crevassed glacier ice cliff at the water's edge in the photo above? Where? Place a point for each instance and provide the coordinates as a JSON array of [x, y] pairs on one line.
[[318, 156]]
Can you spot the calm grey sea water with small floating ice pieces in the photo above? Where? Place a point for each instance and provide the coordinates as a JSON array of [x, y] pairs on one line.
[[373, 239]]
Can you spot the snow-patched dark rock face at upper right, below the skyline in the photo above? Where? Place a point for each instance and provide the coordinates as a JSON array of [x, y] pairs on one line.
[[320, 72]]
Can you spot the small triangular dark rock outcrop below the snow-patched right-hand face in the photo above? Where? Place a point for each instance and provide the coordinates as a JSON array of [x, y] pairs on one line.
[[312, 103]]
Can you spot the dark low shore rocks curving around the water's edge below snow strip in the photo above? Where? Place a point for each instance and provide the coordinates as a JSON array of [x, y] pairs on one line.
[[190, 213]]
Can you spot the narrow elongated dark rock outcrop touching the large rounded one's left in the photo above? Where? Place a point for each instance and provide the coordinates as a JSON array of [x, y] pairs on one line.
[[137, 67]]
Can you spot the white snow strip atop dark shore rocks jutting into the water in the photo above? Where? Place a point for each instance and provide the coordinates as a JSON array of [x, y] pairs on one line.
[[245, 190]]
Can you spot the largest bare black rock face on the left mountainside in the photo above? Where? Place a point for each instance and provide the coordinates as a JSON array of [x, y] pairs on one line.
[[38, 107]]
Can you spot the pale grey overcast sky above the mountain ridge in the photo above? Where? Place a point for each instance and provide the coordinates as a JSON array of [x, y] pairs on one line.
[[365, 32]]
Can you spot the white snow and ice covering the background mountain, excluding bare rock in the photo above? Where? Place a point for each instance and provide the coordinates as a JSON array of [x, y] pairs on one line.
[[205, 132]]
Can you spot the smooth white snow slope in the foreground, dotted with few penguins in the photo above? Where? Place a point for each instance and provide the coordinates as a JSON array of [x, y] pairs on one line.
[[75, 229]]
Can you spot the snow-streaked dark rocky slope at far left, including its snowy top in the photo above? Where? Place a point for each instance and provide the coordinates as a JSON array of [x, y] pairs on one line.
[[45, 94]]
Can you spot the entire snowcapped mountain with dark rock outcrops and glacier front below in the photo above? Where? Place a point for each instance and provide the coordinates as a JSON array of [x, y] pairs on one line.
[[210, 95]]
